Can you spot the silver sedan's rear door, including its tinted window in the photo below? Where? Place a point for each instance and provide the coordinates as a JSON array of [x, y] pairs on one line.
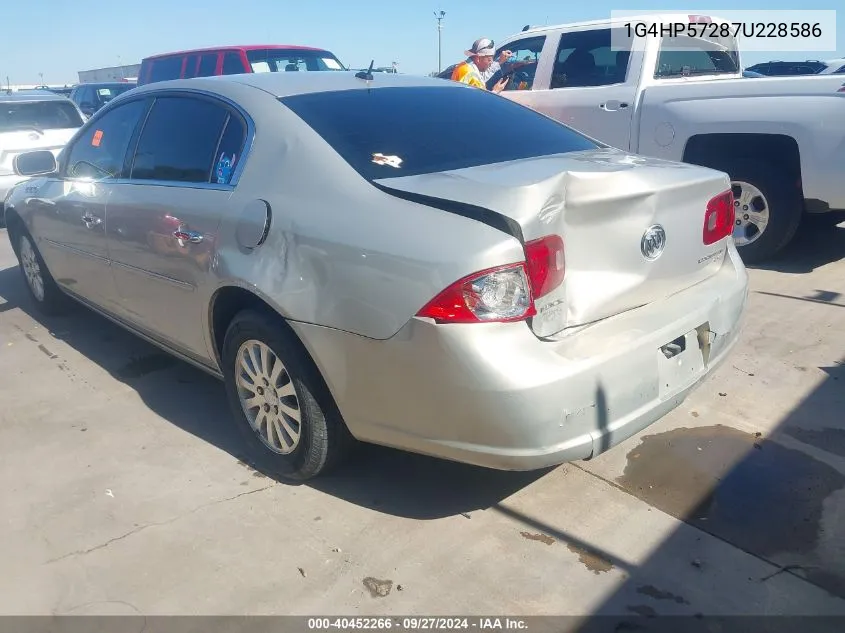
[[163, 220]]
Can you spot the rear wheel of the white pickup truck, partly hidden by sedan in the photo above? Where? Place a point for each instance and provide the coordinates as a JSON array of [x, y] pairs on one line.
[[768, 208]]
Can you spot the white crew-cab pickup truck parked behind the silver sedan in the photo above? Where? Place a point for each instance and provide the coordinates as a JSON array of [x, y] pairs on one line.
[[682, 98]]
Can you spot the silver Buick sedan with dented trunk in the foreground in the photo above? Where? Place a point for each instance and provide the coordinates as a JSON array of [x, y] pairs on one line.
[[390, 259]]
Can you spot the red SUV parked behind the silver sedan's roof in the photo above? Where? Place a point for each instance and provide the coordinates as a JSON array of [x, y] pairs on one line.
[[234, 60]]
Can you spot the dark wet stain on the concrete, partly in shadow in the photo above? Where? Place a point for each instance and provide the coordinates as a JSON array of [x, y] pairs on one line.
[[774, 502]]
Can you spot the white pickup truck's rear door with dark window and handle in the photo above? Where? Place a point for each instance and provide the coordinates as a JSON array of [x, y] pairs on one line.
[[589, 87]]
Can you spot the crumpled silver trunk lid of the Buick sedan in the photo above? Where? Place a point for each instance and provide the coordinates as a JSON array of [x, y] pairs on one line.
[[602, 203]]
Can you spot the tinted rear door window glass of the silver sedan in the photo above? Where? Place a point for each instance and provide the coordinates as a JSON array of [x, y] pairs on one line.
[[179, 140]]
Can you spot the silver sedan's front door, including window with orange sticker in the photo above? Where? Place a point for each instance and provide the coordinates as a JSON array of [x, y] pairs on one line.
[[71, 219]]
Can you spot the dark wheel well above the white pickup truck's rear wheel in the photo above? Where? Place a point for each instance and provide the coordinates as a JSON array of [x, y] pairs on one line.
[[714, 150]]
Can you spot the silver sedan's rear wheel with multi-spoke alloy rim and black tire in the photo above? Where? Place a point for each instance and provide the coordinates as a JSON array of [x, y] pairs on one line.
[[283, 409]]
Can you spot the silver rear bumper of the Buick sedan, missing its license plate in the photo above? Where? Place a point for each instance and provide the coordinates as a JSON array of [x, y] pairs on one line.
[[495, 395]]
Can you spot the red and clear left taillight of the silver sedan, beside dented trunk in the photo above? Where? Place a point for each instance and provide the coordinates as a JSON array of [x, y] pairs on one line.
[[505, 293]]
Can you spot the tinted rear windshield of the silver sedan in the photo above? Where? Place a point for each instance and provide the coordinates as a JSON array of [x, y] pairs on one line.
[[394, 132]]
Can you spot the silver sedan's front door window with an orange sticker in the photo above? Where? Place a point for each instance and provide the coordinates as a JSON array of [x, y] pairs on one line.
[[100, 152]]
